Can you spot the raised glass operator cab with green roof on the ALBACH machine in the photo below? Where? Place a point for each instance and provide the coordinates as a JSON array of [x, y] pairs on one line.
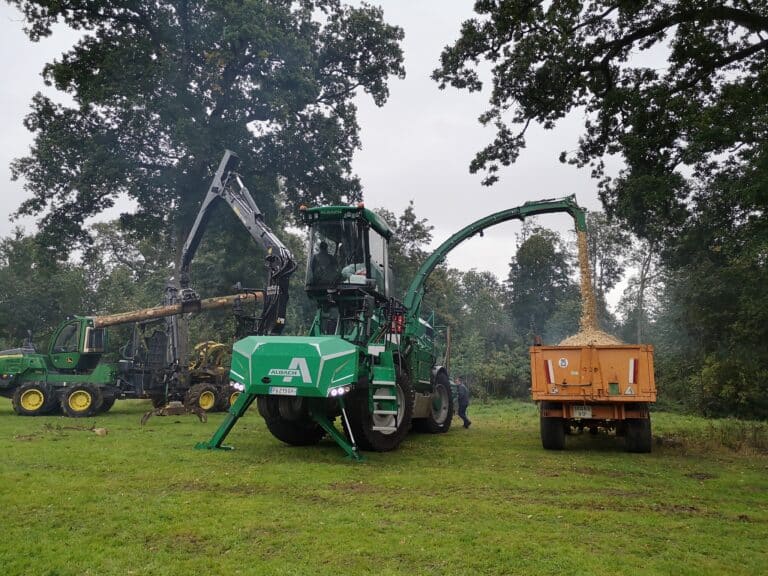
[[347, 251]]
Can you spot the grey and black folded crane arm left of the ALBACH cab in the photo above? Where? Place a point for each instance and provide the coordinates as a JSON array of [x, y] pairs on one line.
[[227, 186]]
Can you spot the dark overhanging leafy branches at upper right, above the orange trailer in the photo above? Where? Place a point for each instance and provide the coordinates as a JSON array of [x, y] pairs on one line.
[[703, 112]]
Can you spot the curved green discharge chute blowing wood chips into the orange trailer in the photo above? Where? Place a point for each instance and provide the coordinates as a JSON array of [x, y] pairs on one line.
[[415, 293]]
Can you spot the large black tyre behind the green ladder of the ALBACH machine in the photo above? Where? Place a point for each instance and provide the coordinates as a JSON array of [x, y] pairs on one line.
[[362, 421]]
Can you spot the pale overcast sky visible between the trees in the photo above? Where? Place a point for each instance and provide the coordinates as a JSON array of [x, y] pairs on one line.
[[417, 147]]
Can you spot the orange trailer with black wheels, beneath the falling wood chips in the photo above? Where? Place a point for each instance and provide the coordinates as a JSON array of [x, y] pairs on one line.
[[598, 386]]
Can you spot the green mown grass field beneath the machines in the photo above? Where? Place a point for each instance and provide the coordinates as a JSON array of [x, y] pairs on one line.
[[487, 500]]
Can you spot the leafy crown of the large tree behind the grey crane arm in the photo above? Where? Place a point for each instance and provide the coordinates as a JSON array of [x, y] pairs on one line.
[[160, 89]]
